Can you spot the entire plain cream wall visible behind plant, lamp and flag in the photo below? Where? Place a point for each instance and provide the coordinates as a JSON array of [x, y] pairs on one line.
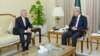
[[14, 7]]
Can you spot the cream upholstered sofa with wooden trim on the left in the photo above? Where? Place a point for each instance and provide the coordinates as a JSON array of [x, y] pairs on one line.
[[6, 27]]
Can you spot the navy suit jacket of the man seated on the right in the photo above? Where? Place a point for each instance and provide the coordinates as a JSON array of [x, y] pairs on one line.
[[82, 24]]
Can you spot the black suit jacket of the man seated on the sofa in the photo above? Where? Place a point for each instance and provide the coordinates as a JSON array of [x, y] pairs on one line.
[[19, 25]]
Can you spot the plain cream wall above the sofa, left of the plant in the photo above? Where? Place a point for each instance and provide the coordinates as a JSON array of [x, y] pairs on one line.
[[14, 6]]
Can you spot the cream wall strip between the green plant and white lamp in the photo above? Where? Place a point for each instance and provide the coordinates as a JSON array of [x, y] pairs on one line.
[[48, 6]]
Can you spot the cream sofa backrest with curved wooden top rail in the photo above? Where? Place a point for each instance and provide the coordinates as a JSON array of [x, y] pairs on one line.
[[5, 21]]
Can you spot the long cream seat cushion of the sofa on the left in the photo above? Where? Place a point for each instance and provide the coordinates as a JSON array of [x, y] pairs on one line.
[[8, 39]]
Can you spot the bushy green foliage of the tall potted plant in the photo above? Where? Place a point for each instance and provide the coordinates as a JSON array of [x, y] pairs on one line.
[[37, 14]]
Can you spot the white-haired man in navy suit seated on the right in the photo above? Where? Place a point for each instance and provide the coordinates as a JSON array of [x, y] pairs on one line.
[[76, 27]]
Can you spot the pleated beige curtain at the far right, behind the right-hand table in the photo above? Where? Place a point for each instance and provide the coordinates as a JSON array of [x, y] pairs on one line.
[[93, 12]]
